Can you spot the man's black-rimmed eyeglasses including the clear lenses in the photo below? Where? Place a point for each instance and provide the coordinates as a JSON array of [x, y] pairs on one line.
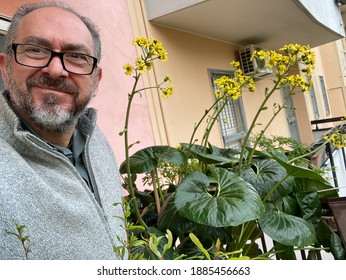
[[39, 57]]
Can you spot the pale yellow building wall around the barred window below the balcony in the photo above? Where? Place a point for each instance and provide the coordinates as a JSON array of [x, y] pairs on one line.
[[190, 58]]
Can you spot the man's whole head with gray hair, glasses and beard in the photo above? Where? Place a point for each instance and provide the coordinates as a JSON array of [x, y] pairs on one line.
[[47, 88]]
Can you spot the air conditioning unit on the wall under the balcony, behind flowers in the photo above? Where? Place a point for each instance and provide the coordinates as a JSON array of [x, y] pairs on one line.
[[249, 67]]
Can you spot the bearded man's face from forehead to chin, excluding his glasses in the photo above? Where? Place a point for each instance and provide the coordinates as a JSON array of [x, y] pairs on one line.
[[51, 98]]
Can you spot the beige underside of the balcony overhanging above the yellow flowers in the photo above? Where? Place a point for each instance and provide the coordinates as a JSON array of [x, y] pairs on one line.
[[266, 23]]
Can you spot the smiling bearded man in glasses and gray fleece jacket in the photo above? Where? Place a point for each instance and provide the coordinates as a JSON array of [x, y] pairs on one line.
[[58, 177]]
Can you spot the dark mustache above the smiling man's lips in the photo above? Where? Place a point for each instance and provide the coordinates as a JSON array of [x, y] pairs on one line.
[[59, 84]]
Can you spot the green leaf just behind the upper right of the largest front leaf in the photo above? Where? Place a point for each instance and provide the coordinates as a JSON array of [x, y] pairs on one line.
[[264, 175]]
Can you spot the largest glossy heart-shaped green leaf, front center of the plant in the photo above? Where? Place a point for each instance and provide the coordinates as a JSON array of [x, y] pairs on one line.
[[229, 202]]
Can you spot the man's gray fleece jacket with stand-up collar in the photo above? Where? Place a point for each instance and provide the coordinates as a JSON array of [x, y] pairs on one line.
[[41, 189]]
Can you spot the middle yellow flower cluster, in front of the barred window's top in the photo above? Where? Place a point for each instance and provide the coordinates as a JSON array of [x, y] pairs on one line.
[[232, 87]]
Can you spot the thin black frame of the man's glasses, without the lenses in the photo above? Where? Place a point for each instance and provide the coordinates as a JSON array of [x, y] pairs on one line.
[[52, 55]]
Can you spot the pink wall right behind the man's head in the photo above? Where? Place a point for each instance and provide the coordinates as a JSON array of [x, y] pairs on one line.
[[113, 19]]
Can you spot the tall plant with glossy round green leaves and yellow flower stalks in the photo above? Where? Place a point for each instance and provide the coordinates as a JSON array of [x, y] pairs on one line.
[[207, 202]]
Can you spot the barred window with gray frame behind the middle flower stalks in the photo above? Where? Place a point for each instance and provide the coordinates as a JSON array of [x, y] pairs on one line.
[[231, 119]]
